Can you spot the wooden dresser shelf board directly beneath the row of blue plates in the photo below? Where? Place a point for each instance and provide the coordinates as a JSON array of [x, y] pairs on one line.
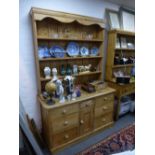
[[70, 58]]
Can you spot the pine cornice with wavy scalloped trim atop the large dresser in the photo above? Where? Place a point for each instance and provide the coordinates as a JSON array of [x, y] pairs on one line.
[[40, 14]]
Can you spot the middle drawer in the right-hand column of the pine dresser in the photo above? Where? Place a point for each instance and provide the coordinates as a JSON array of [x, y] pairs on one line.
[[105, 108]]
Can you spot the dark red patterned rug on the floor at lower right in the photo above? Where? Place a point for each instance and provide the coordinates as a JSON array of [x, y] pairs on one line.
[[119, 142]]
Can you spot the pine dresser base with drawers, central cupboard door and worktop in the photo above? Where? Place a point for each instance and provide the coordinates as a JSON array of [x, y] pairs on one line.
[[71, 122]]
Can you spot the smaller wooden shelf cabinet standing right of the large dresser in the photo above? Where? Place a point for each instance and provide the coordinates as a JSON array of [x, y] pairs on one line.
[[120, 48]]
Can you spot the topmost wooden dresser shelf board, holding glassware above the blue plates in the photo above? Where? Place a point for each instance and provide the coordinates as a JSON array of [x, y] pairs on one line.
[[70, 39]]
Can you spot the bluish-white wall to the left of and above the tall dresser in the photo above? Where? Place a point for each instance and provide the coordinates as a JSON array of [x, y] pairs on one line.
[[27, 72]]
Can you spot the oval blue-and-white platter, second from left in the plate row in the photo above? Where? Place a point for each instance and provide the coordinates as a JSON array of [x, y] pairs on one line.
[[57, 51]]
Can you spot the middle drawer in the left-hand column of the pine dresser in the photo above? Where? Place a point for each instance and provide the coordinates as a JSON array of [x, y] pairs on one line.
[[66, 122]]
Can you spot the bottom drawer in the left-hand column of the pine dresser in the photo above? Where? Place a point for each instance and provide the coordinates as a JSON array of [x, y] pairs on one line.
[[64, 137]]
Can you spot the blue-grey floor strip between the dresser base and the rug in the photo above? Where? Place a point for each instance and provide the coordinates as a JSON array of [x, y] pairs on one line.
[[121, 123]]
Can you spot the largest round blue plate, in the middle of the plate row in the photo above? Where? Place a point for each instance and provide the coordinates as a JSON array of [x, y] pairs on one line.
[[73, 49]]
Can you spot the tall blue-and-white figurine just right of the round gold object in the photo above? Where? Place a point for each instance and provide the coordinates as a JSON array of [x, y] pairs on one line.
[[60, 91]]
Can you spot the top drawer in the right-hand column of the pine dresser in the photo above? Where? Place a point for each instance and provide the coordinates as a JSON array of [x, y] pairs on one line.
[[100, 101]]
